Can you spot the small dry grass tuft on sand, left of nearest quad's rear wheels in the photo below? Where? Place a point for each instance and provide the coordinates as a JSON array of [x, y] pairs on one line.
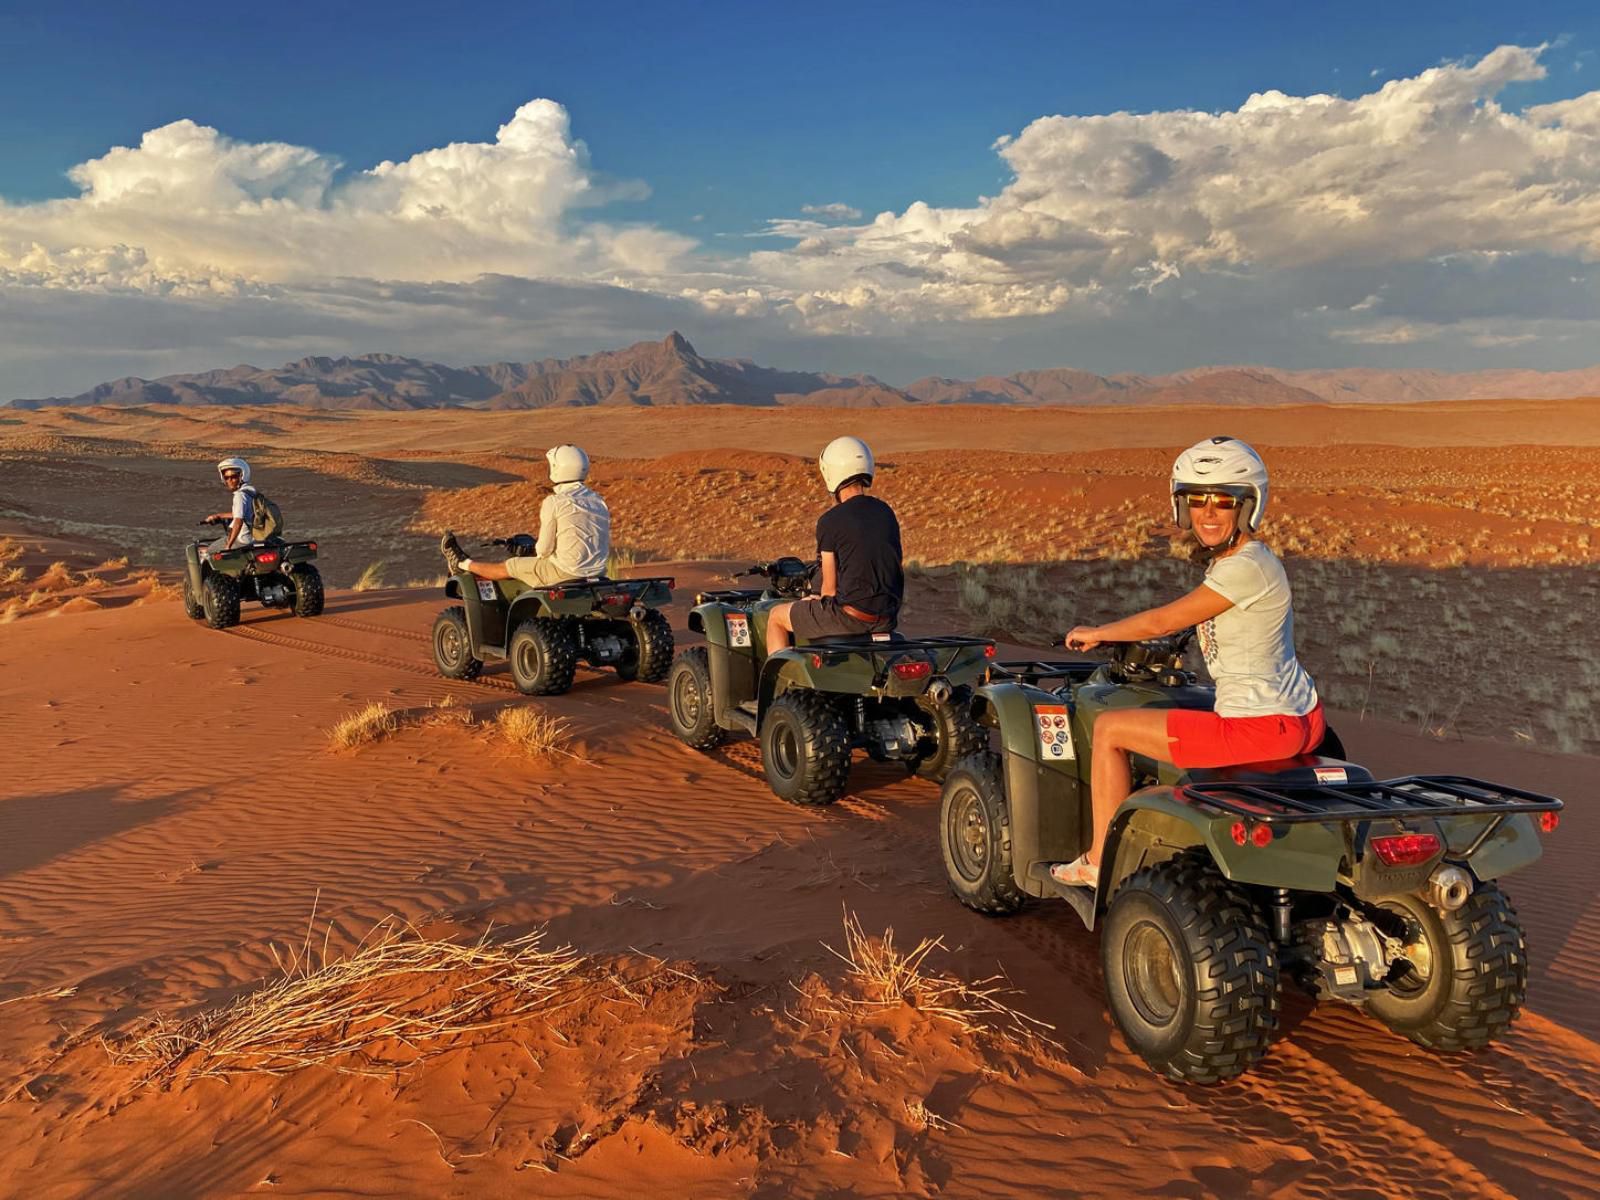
[[882, 978]]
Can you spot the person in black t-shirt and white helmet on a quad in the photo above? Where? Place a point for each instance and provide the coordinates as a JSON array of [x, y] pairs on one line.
[[858, 543]]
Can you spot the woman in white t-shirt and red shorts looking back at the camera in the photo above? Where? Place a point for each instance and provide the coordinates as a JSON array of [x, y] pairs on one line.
[[1266, 705]]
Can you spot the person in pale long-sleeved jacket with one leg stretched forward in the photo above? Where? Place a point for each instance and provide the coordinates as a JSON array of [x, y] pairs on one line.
[[575, 532]]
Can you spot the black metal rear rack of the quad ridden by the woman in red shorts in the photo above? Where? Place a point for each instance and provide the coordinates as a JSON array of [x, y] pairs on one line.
[[1412, 796]]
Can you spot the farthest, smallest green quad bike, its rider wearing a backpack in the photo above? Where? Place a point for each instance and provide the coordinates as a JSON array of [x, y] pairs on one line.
[[273, 572]]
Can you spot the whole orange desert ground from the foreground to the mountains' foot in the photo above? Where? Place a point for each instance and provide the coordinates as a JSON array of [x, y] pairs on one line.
[[617, 967]]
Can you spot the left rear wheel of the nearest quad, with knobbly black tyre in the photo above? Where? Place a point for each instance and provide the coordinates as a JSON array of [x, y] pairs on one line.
[[1191, 972]]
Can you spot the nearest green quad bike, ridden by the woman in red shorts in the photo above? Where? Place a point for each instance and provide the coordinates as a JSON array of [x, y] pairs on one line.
[[1214, 882]]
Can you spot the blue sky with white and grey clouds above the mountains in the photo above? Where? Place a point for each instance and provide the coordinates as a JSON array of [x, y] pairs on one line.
[[705, 124]]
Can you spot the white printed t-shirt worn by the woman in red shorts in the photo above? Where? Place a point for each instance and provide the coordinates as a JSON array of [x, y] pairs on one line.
[[1250, 649]]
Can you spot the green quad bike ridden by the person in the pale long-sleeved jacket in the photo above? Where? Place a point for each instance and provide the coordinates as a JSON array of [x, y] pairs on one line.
[[546, 631]]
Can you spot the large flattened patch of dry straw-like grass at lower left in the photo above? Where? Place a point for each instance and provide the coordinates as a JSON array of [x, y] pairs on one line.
[[391, 1002]]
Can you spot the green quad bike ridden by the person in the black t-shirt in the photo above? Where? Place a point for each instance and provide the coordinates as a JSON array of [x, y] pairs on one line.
[[898, 698]]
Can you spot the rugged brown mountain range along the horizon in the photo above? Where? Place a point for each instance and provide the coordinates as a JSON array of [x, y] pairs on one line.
[[671, 372]]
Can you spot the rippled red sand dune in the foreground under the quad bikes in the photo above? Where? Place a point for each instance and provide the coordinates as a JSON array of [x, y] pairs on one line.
[[172, 810]]
